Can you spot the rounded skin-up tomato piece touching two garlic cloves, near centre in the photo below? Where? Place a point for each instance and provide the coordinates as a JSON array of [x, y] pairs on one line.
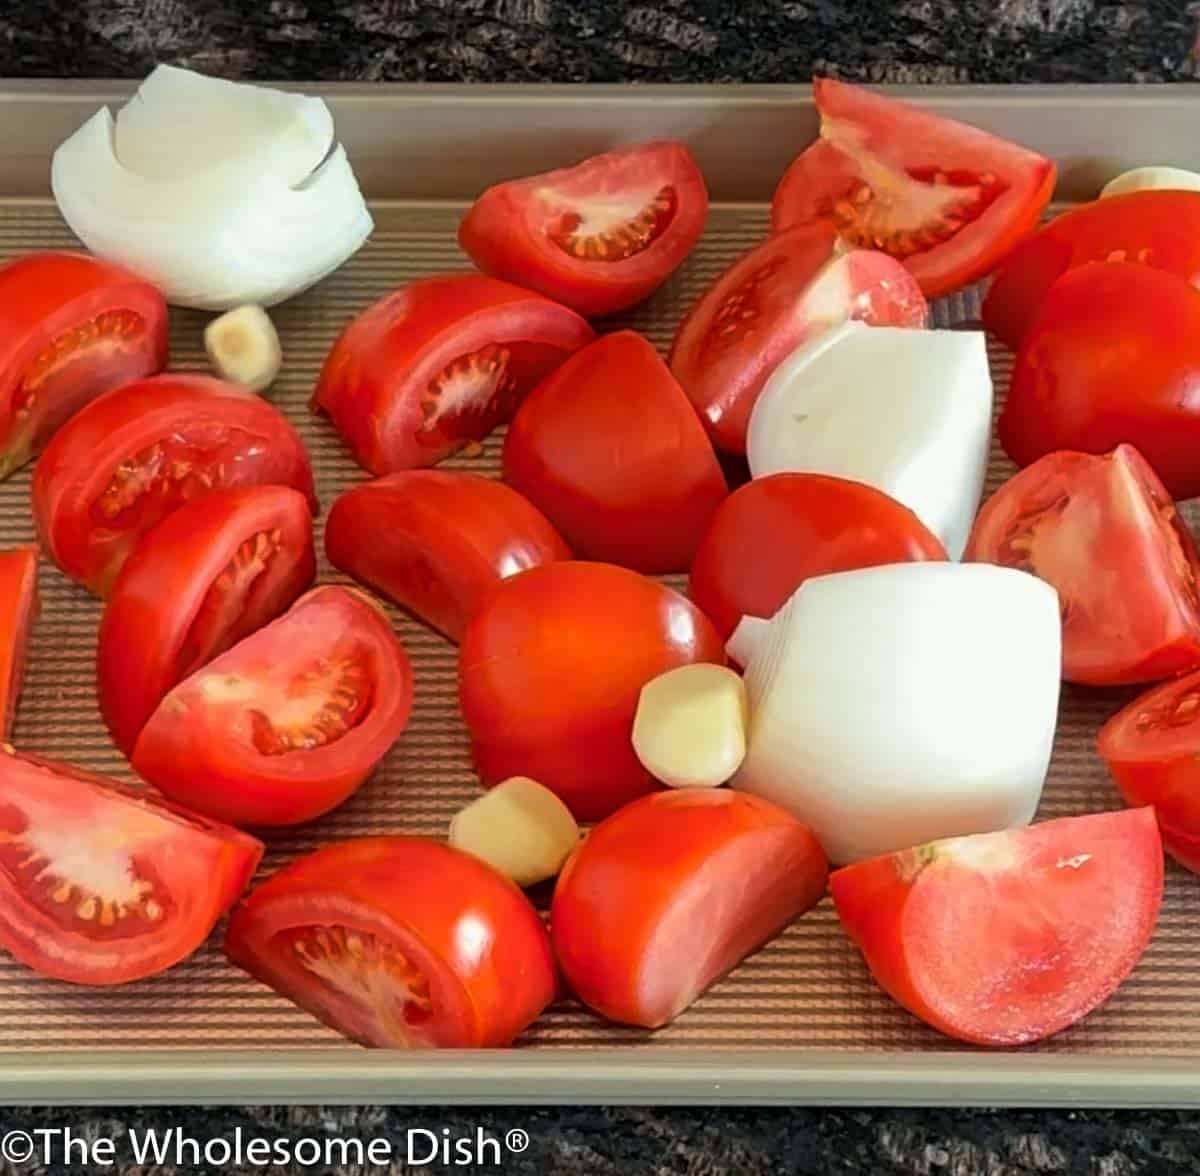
[[550, 671]]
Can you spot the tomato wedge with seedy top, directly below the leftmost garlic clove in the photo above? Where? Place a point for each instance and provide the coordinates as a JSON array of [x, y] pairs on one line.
[[141, 452]]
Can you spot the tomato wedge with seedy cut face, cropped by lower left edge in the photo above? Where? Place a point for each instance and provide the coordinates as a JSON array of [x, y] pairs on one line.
[[101, 884]]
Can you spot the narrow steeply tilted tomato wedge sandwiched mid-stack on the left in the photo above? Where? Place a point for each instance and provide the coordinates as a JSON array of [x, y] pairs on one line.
[[208, 575]]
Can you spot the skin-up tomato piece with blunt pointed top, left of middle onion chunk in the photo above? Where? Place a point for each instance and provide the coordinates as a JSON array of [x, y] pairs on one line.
[[610, 449]]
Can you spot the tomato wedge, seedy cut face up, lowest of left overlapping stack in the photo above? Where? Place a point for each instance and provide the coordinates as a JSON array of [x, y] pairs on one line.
[[290, 722]]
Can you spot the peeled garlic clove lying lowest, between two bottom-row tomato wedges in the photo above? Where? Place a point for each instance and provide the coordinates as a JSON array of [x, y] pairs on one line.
[[520, 829]]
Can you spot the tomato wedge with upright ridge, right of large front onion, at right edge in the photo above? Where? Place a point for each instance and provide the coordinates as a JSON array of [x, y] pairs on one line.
[[1106, 533]]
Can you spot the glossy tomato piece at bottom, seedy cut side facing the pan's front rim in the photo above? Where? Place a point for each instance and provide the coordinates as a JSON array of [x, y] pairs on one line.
[[399, 943]]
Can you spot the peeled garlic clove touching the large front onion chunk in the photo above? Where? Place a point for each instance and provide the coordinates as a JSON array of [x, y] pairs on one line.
[[689, 730]]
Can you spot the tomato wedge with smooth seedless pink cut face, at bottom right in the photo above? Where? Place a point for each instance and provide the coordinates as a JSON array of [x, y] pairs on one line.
[[1004, 939]]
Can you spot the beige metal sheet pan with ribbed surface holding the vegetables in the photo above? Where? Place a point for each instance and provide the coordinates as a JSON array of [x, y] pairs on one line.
[[801, 1022]]
